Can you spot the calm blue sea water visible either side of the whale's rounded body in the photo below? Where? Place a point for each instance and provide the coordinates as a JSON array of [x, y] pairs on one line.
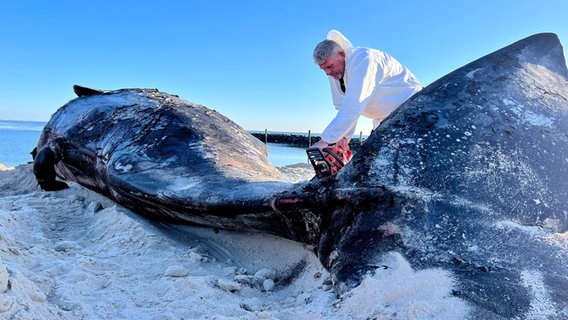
[[18, 138]]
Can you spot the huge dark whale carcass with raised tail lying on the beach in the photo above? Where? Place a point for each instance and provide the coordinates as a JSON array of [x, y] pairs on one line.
[[470, 175]]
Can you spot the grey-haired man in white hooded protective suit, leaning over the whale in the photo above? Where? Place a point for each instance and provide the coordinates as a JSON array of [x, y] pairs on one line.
[[363, 81]]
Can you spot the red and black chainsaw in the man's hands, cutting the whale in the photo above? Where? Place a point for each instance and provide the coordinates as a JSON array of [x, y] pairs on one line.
[[328, 161]]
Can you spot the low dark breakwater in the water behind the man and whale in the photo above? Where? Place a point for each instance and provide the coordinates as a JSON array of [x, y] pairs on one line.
[[300, 140]]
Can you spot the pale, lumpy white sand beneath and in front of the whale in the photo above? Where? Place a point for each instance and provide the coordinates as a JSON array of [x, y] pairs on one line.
[[74, 254]]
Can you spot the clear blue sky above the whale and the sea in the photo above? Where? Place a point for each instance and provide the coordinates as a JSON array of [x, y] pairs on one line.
[[250, 60]]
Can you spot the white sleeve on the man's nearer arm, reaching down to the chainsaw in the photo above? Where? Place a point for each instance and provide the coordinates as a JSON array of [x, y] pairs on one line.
[[361, 81]]
